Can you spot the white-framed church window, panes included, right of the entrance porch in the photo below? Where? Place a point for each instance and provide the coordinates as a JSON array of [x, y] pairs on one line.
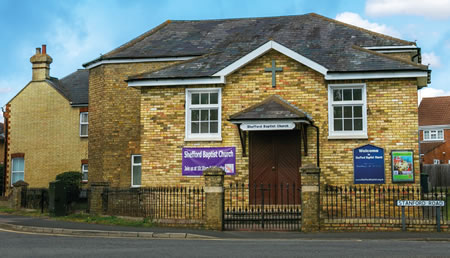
[[347, 111]]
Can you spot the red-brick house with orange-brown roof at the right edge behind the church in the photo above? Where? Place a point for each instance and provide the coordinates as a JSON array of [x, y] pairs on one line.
[[434, 130]]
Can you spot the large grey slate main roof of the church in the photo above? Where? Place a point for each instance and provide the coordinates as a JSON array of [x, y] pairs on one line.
[[218, 43]]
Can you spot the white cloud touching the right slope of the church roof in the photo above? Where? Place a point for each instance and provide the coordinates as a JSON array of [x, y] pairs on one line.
[[355, 19]]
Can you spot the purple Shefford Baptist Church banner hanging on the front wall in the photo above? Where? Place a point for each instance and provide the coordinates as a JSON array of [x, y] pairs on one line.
[[196, 160]]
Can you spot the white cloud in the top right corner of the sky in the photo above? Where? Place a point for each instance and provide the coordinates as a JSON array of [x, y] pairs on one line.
[[437, 9]]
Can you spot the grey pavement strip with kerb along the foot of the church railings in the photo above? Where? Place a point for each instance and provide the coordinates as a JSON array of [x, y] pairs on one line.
[[58, 227]]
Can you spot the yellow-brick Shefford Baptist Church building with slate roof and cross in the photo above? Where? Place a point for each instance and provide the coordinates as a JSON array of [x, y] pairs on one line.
[[321, 87]]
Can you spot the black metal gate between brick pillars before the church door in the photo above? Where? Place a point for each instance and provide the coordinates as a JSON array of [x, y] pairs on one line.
[[263, 207]]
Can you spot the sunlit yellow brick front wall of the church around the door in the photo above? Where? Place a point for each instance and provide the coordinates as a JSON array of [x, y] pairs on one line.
[[391, 111]]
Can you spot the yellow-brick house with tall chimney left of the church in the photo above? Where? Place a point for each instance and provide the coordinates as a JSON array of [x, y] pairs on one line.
[[47, 126]]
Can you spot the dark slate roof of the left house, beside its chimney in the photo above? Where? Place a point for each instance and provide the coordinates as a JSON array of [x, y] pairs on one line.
[[75, 86]]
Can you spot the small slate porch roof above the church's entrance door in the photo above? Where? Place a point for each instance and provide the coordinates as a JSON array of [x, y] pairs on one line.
[[272, 108]]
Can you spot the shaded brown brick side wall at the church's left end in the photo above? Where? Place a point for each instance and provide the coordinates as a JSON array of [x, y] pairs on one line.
[[114, 128]]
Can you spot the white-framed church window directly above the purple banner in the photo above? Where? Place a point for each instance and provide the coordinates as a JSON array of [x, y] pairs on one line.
[[203, 114]]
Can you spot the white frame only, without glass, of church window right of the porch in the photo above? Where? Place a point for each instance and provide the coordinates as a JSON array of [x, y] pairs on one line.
[[332, 134]]
